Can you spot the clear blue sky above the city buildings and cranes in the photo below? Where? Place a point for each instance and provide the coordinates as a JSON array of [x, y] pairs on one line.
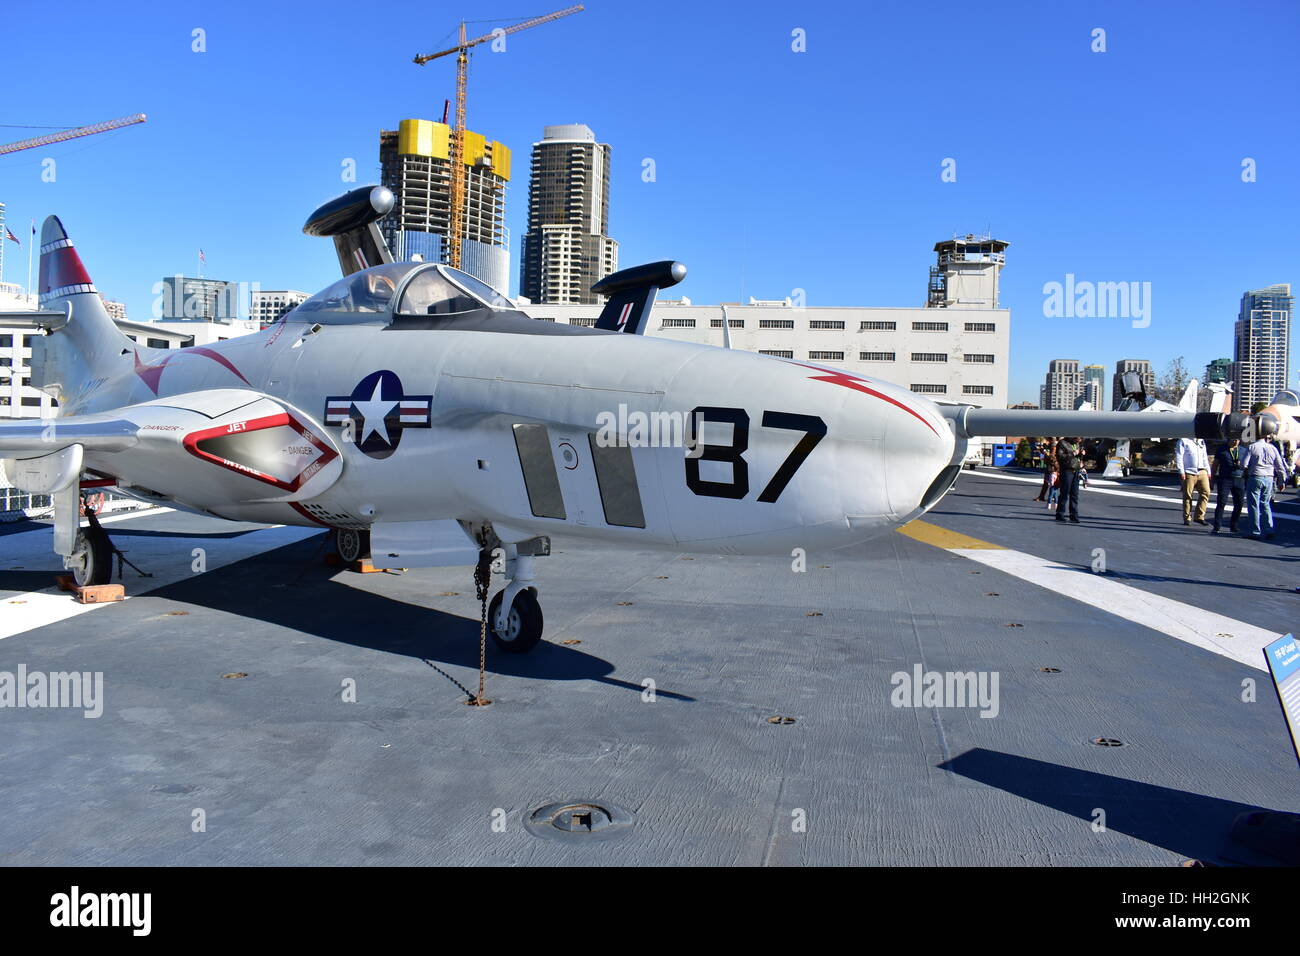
[[775, 171]]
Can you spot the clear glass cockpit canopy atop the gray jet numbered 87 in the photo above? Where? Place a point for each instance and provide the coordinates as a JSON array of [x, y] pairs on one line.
[[402, 289]]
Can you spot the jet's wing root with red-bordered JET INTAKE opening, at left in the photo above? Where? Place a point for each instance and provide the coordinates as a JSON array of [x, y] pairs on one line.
[[205, 449]]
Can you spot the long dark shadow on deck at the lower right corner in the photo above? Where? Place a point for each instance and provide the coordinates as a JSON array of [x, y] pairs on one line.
[[1190, 825]]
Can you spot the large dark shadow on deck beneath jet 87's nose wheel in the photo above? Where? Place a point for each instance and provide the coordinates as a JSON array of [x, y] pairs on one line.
[[310, 602]]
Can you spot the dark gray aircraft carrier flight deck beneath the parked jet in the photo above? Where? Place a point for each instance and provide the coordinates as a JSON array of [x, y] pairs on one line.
[[718, 711]]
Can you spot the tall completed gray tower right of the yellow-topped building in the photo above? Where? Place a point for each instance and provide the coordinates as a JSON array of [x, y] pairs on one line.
[[567, 248]]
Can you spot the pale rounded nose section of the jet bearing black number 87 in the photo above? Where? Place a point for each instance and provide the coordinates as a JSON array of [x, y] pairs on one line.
[[796, 455]]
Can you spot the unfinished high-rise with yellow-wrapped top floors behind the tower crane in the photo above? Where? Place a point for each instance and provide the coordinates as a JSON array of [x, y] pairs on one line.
[[415, 161]]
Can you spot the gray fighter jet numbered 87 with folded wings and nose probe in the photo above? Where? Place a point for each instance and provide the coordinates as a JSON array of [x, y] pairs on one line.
[[427, 422]]
